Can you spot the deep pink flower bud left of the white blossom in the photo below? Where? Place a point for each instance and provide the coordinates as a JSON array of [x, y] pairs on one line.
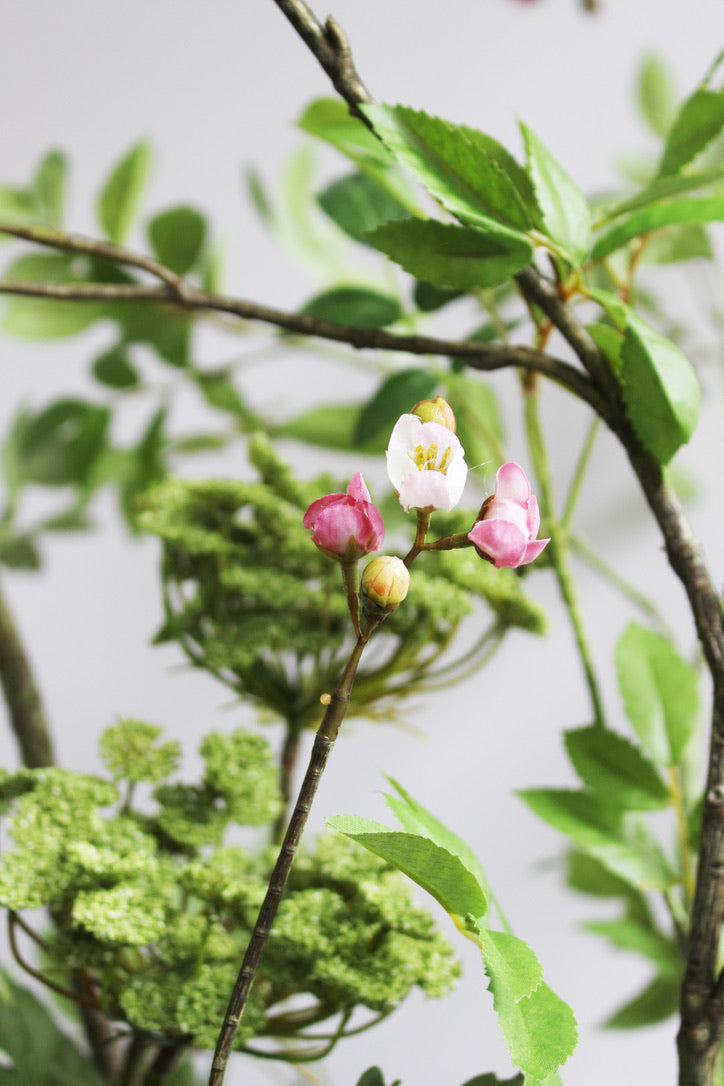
[[347, 526]]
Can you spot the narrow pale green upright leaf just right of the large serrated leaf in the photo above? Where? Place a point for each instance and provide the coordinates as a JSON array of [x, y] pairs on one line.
[[565, 213]]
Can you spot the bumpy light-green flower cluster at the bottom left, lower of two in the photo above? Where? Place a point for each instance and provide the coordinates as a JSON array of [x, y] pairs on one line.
[[156, 908]]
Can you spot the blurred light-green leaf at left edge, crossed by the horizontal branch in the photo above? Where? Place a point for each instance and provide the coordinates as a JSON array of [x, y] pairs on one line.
[[39, 319]]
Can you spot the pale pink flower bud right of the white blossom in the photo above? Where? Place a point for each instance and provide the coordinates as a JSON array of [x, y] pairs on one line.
[[510, 522]]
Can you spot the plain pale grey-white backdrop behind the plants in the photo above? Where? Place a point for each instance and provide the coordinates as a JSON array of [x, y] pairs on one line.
[[218, 86]]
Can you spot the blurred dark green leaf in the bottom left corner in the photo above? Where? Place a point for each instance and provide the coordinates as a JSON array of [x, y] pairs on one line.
[[41, 1054]]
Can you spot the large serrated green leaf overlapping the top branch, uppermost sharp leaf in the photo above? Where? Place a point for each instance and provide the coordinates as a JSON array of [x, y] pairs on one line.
[[472, 174]]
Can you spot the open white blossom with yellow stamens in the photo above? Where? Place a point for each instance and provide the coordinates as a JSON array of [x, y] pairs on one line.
[[426, 464]]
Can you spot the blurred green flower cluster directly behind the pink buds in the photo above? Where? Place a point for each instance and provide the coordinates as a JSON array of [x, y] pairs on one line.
[[251, 600]]
